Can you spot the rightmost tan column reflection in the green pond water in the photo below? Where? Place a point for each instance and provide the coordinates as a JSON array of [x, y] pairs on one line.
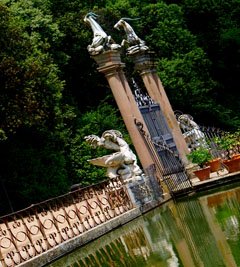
[[218, 234]]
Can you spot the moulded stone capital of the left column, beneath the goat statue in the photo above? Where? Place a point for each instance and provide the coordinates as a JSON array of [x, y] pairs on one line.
[[109, 62]]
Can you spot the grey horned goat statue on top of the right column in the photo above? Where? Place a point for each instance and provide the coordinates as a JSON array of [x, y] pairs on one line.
[[133, 41]]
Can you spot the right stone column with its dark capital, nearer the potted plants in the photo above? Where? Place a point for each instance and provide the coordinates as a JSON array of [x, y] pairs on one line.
[[144, 64]]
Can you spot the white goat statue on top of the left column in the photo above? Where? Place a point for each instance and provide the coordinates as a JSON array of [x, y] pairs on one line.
[[101, 41]]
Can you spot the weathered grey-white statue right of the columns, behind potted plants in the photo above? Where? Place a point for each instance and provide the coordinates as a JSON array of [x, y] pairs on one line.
[[194, 137]]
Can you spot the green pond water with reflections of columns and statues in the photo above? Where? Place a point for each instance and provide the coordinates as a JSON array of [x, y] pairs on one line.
[[202, 230]]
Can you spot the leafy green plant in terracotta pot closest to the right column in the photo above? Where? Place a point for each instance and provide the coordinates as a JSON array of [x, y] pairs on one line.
[[201, 156]]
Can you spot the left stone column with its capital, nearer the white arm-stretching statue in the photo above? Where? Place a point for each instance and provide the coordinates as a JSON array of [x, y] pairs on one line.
[[110, 65]]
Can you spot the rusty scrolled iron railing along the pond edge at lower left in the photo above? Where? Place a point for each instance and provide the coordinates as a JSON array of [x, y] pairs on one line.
[[34, 230]]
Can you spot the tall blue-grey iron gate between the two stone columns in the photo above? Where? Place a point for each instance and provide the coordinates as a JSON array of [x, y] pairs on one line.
[[161, 145]]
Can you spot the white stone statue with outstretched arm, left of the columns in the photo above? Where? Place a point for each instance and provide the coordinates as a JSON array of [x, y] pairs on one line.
[[122, 163]]
